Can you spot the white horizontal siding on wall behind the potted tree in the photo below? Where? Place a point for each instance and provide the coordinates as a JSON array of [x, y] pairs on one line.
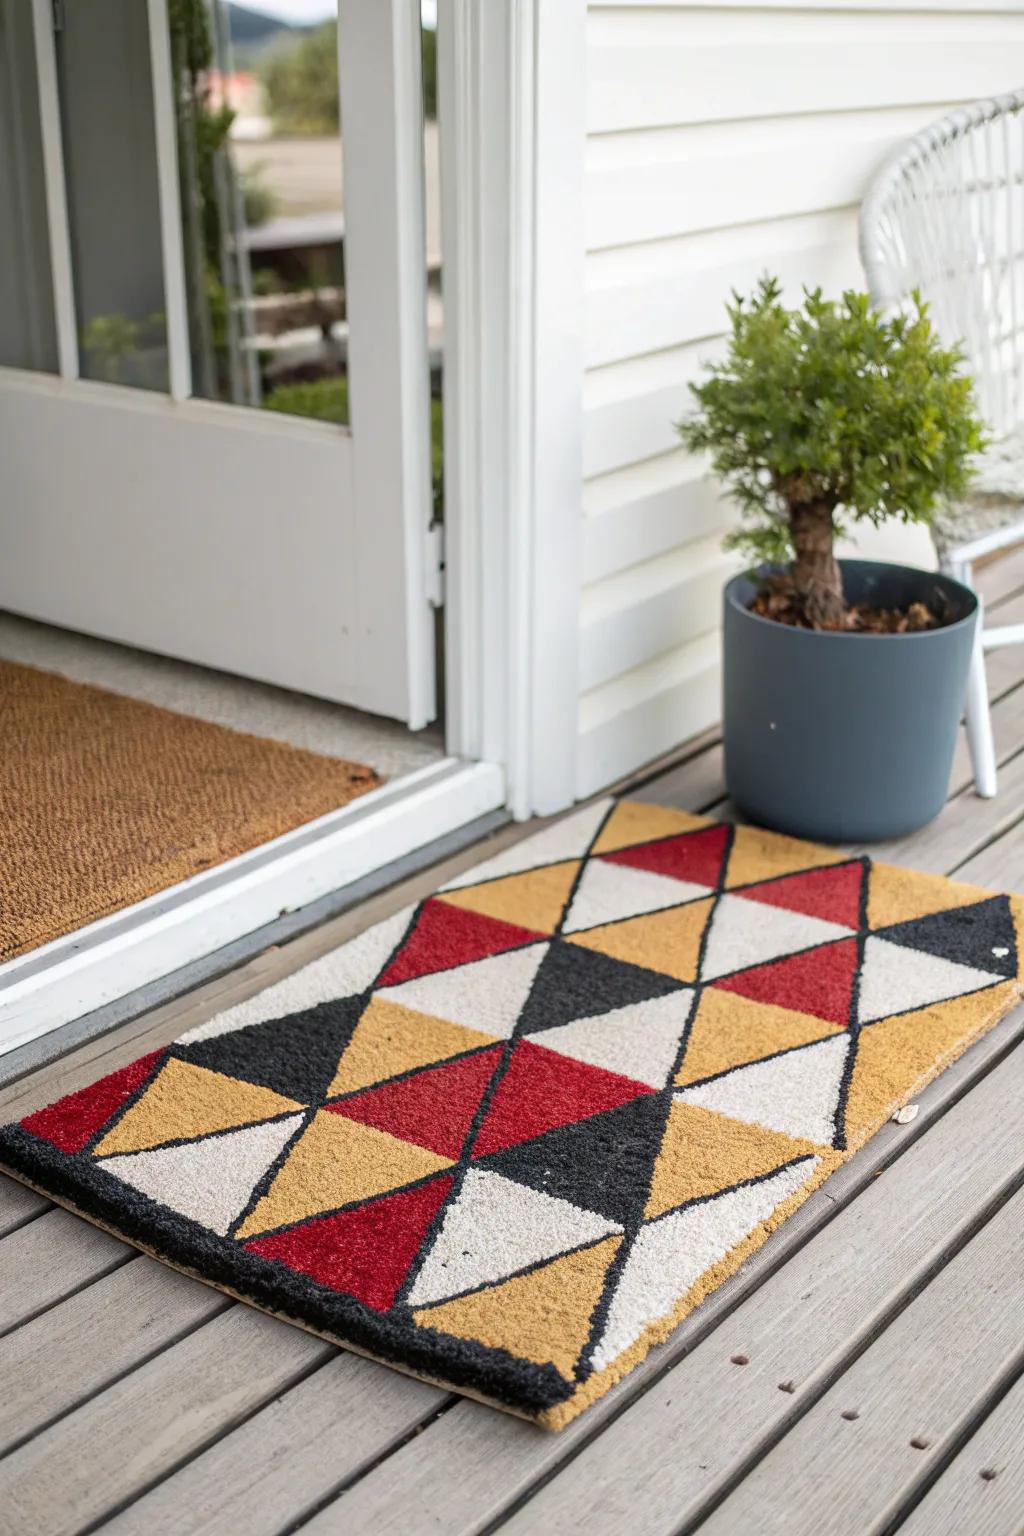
[[724, 141]]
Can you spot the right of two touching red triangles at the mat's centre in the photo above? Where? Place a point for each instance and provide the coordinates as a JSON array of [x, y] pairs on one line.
[[543, 1090]]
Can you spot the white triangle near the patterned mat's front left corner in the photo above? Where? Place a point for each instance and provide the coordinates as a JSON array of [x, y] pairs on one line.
[[208, 1180]]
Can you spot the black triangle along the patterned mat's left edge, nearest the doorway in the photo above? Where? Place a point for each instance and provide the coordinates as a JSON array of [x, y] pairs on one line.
[[296, 1056]]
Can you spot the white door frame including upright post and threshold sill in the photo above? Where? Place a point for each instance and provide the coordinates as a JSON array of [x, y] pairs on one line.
[[512, 93]]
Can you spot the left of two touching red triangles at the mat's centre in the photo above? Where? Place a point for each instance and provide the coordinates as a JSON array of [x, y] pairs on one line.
[[432, 1108]]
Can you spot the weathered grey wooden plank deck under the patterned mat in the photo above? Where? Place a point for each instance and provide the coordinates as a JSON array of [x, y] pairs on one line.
[[880, 1328]]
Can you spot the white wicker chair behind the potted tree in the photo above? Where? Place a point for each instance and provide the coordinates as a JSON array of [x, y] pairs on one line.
[[946, 216]]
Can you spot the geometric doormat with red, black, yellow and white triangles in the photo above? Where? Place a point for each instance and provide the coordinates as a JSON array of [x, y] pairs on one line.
[[510, 1137]]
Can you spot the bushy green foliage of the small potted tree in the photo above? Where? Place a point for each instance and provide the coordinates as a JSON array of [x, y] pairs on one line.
[[831, 405]]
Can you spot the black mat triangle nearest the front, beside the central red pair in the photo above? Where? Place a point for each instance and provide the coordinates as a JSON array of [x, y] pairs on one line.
[[603, 1164]]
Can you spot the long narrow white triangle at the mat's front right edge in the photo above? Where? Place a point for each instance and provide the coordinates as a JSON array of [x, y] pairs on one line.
[[673, 1253]]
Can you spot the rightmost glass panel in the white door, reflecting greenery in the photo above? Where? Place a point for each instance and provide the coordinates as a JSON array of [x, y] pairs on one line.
[[262, 204]]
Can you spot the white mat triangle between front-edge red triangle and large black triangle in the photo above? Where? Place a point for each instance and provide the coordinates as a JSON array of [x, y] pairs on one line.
[[495, 1230]]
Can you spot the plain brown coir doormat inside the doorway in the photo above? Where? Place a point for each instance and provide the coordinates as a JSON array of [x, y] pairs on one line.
[[107, 799]]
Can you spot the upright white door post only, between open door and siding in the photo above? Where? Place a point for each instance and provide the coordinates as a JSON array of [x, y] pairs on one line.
[[512, 87]]
